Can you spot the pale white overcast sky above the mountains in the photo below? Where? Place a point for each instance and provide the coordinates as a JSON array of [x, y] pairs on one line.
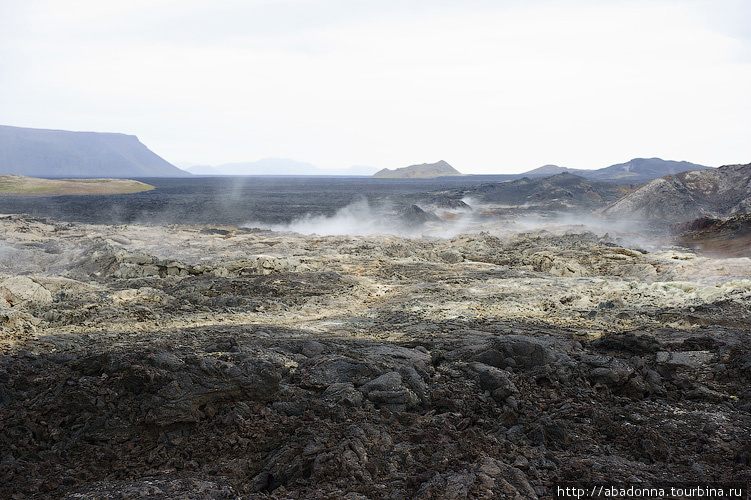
[[498, 86]]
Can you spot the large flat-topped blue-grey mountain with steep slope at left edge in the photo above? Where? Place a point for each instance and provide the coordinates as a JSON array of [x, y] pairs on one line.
[[61, 153]]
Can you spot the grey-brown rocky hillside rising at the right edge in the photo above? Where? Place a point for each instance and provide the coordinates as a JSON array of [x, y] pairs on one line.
[[721, 192]]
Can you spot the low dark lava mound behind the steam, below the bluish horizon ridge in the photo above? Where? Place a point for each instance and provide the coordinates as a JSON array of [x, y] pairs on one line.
[[557, 192]]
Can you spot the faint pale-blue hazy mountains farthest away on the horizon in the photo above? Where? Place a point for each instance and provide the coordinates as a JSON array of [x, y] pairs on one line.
[[275, 166]]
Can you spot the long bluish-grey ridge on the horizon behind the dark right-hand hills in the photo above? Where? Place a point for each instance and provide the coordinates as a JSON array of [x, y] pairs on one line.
[[636, 171]]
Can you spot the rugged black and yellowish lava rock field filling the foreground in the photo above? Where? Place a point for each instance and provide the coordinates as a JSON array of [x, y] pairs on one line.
[[216, 362]]
